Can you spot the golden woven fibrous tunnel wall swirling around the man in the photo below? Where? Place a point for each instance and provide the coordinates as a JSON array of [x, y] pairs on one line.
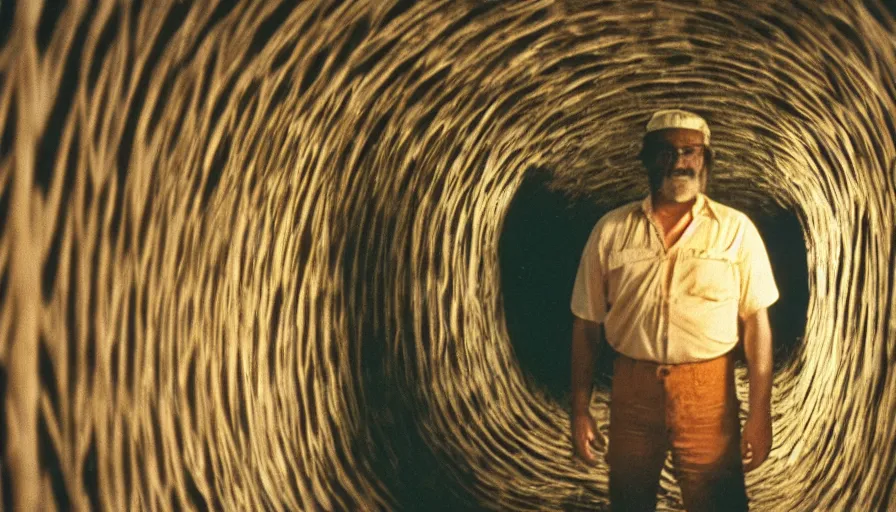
[[250, 251]]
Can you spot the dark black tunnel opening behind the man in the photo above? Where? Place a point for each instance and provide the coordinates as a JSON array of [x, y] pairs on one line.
[[540, 246]]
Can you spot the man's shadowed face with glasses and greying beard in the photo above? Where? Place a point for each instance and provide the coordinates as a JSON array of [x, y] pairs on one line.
[[676, 164]]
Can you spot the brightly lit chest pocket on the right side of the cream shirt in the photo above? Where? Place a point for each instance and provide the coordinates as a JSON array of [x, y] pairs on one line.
[[711, 275]]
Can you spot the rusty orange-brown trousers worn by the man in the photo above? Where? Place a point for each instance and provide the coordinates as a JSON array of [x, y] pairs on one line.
[[689, 408]]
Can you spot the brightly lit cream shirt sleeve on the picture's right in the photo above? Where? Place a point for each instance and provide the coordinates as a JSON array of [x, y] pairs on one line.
[[757, 282]]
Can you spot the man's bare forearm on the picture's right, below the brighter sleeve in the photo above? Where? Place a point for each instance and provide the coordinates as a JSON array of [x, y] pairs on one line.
[[758, 350]]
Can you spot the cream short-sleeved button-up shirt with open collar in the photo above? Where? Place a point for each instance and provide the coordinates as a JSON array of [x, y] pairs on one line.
[[673, 305]]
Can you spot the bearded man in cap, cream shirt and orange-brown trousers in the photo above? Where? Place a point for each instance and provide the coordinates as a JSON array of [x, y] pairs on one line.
[[665, 282]]
